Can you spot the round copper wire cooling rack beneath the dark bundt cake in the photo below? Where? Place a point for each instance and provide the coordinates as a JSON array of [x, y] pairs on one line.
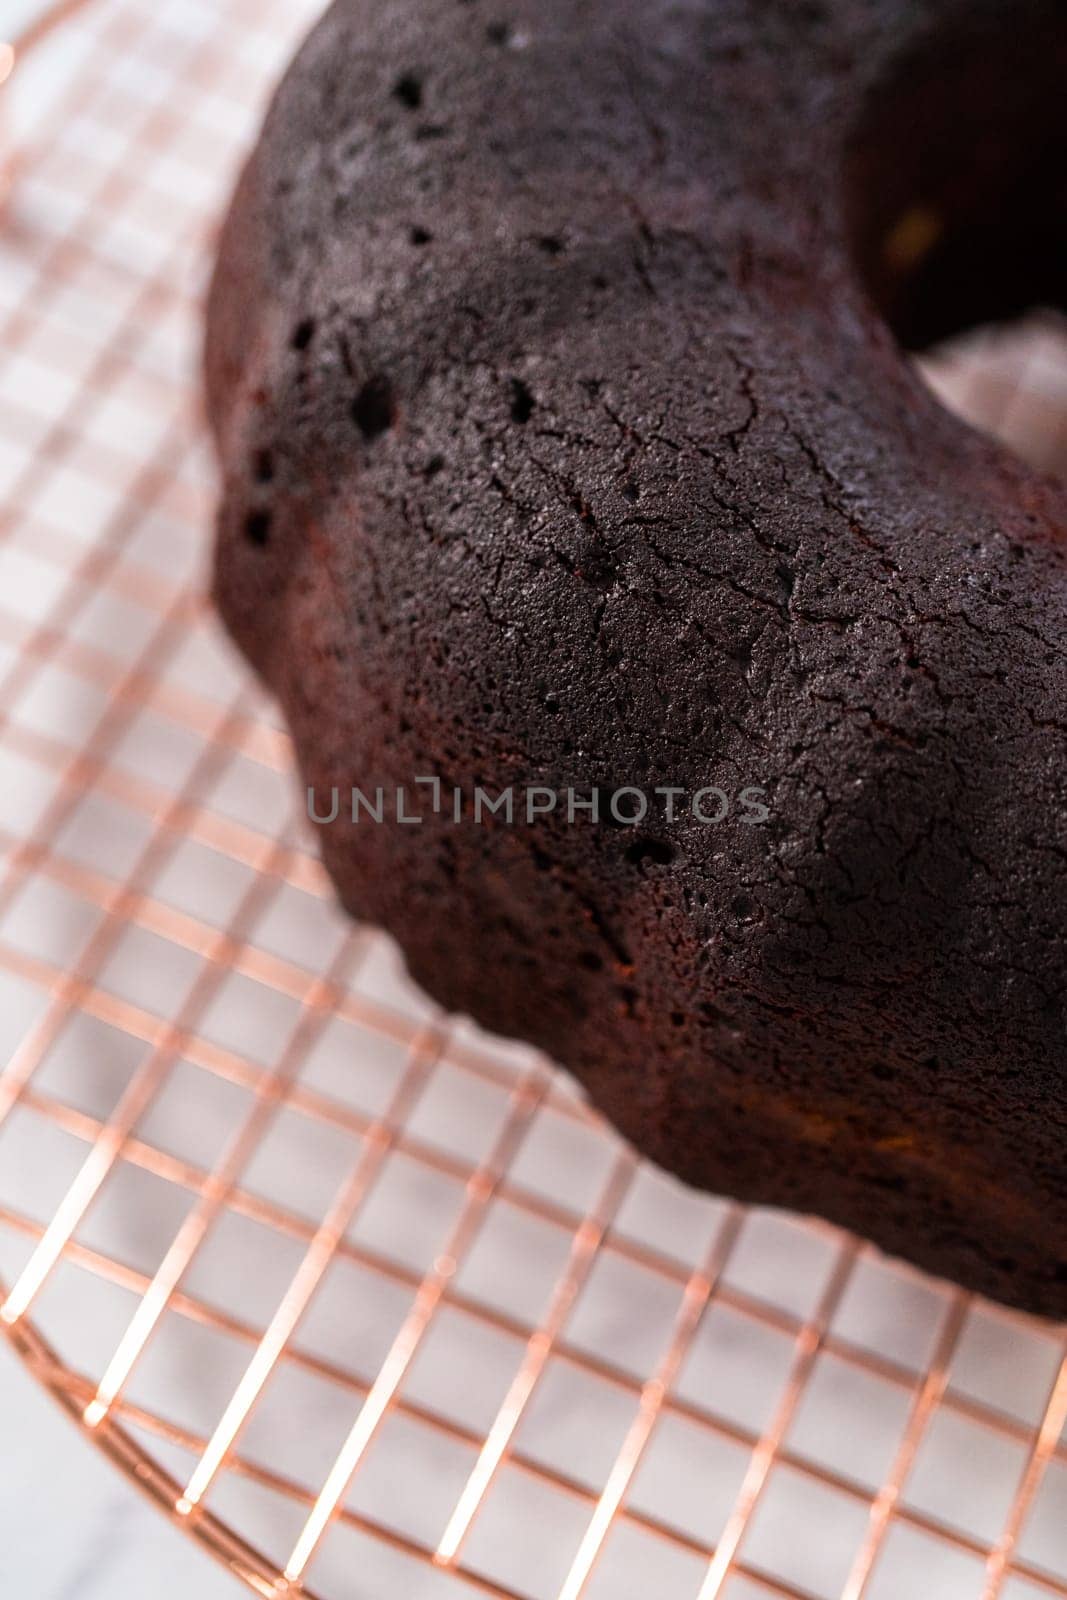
[[367, 1302]]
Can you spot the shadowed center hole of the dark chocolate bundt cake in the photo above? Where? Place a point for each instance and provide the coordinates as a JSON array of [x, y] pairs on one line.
[[956, 190]]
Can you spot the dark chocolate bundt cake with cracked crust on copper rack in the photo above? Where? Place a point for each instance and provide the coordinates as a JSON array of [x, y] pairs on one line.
[[556, 361]]
